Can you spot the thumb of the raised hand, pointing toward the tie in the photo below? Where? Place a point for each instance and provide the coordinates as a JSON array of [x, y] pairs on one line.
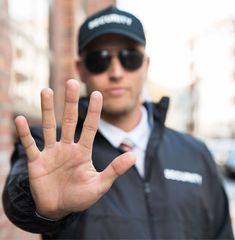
[[115, 169]]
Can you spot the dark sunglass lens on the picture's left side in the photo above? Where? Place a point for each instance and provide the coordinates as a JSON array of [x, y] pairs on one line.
[[98, 61]]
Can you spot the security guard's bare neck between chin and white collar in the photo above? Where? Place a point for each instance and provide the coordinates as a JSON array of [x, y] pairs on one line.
[[126, 121]]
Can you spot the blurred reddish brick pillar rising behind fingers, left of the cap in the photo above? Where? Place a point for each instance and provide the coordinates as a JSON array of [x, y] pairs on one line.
[[62, 43]]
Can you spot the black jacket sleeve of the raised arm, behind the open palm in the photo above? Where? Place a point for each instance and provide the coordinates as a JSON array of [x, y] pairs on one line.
[[18, 203]]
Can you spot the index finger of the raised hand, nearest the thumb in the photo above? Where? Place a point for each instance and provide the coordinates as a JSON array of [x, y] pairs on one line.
[[91, 122]]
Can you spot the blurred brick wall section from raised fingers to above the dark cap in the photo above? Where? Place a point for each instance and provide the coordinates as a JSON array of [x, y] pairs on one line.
[[64, 21]]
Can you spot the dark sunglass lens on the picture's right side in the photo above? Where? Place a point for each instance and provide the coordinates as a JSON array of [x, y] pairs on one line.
[[131, 59]]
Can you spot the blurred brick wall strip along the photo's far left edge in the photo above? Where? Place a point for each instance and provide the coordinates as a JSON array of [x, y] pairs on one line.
[[7, 229]]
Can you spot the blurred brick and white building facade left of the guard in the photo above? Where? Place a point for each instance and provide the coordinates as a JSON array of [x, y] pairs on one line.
[[36, 51]]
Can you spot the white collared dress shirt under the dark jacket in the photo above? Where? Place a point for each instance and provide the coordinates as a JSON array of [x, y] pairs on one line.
[[138, 136]]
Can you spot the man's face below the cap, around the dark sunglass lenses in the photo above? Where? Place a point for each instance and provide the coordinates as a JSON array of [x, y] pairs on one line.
[[121, 88]]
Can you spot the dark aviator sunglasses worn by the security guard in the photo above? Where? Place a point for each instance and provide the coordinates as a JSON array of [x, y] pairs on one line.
[[99, 61]]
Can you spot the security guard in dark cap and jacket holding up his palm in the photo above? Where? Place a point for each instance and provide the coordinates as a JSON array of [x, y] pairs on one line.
[[67, 185]]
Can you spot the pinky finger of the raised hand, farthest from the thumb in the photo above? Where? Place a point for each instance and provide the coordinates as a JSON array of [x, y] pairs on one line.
[[26, 138]]
